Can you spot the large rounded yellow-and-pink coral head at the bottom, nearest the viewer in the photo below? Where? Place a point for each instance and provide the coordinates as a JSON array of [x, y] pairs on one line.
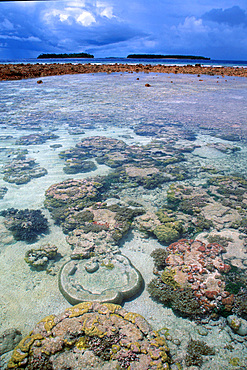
[[92, 335]]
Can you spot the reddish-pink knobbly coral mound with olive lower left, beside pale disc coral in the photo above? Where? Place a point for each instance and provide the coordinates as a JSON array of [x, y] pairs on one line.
[[194, 281]]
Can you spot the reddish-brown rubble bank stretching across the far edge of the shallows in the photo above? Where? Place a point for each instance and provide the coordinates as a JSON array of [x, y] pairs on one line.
[[23, 71]]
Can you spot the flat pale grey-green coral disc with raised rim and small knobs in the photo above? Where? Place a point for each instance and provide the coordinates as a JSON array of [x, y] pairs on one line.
[[105, 280]]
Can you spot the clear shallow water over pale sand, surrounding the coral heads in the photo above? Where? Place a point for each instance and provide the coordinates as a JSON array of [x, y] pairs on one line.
[[113, 105]]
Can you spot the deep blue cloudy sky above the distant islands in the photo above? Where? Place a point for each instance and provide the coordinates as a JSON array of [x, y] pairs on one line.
[[115, 28]]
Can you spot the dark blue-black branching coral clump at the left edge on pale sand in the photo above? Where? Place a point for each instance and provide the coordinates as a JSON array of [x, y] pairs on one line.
[[25, 224]]
